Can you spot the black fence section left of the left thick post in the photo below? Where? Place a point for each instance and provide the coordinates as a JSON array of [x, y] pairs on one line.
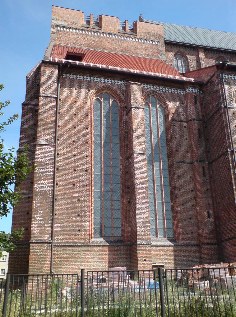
[[41, 295]]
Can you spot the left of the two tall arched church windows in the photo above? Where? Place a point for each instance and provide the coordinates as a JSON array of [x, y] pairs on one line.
[[106, 162]]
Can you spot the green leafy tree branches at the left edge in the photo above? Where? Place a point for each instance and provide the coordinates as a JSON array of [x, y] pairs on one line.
[[13, 170]]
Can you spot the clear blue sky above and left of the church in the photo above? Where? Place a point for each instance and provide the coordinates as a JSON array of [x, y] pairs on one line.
[[25, 30]]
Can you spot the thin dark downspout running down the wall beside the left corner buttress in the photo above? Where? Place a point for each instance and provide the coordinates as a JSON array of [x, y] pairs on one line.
[[55, 166]]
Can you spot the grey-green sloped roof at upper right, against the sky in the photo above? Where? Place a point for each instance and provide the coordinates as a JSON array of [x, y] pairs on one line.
[[198, 36]]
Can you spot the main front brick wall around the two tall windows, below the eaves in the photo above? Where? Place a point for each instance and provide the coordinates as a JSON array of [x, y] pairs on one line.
[[72, 227]]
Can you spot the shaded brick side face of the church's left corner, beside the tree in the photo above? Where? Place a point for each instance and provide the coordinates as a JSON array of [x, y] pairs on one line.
[[22, 216]]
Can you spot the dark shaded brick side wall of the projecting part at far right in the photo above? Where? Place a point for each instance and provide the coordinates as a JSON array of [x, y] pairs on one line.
[[218, 138]]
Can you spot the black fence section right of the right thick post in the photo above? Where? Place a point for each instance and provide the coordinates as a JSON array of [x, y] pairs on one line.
[[201, 292]]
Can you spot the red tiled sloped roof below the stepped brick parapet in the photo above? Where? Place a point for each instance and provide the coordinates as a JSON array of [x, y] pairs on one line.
[[150, 65]]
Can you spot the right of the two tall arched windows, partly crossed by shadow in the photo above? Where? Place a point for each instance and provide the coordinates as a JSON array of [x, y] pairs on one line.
[[157, 167]]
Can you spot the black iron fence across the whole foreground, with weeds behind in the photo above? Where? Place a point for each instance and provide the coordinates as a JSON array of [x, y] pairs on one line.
[[190, 292]]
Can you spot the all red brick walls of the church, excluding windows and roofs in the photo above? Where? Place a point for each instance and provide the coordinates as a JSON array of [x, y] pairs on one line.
[[57, 199]]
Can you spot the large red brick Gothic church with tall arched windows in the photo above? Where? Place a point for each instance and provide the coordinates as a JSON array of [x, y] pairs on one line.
[[131, 130]]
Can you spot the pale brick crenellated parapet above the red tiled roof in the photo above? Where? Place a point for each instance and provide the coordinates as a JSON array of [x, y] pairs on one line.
[[71, 28]]
